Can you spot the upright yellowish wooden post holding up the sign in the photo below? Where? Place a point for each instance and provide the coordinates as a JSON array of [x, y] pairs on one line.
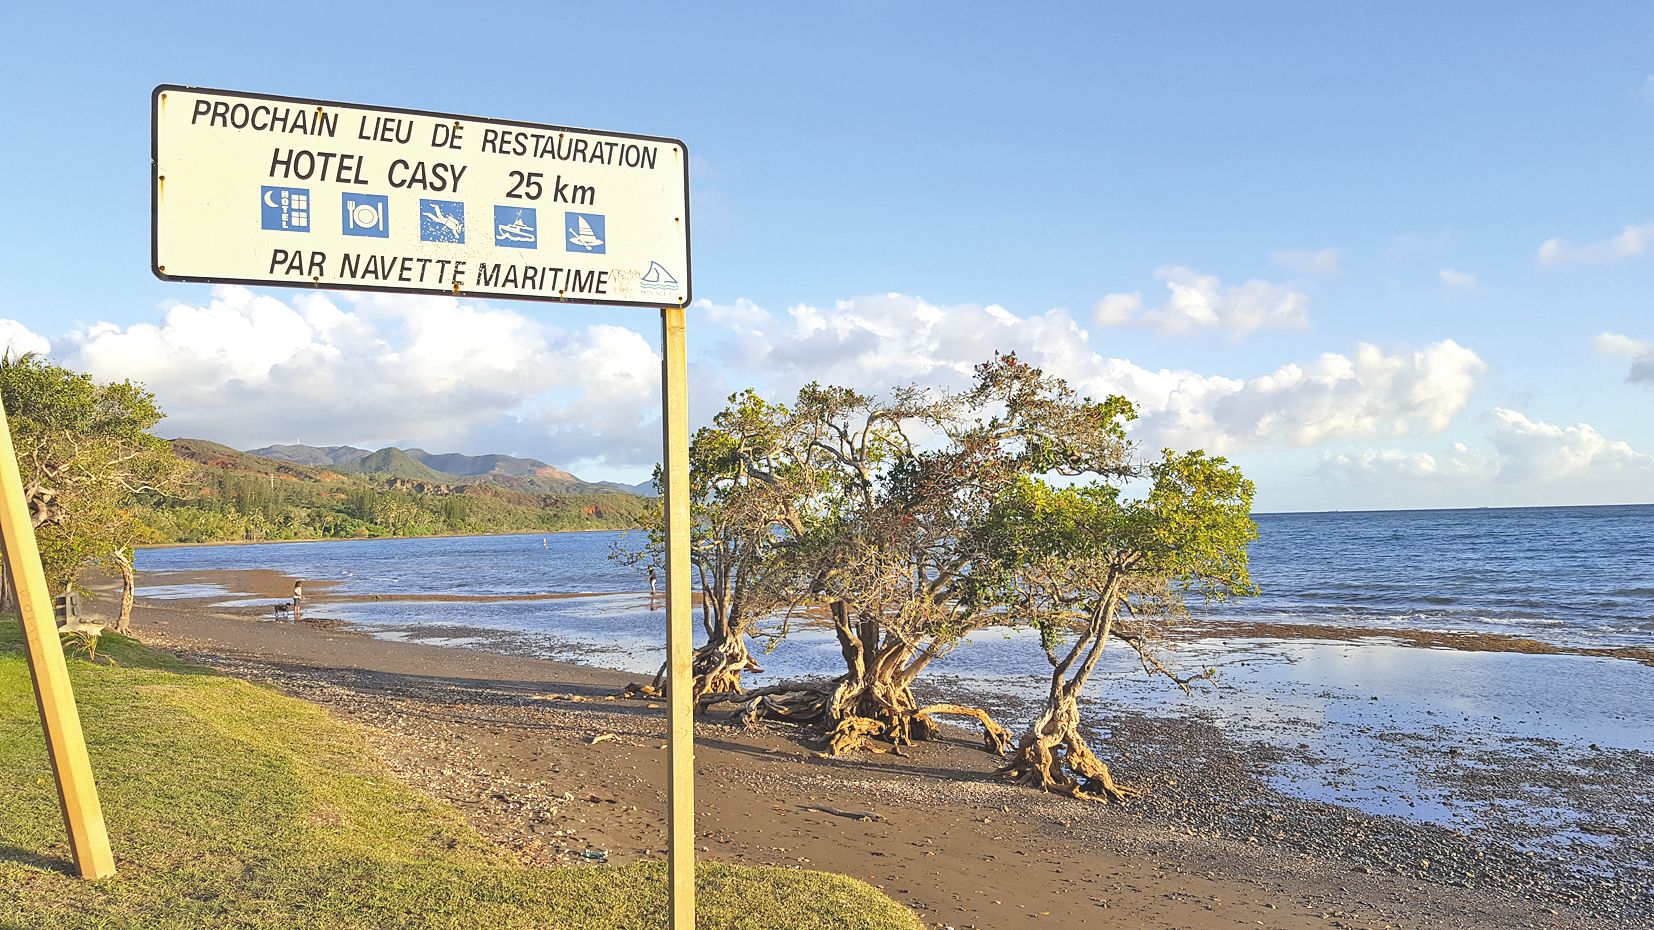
[[681, 628]]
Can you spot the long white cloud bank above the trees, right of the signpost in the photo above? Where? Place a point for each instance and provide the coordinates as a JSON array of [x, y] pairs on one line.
[[896, 338]]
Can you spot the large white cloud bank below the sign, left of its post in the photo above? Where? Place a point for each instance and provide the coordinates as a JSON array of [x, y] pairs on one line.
[[249, 370]]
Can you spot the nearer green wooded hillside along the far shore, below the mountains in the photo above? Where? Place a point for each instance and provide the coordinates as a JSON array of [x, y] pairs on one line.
[[236, 496]]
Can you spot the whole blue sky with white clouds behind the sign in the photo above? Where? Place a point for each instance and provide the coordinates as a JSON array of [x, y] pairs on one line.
[[1382, 256]]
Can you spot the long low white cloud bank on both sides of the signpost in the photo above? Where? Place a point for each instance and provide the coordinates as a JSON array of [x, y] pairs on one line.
[[249, 370]]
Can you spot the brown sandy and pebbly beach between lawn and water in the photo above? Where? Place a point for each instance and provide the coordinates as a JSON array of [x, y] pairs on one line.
[[548, 762]]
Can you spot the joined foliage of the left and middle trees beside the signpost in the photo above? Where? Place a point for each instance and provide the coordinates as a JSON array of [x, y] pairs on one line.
[[881, 506]]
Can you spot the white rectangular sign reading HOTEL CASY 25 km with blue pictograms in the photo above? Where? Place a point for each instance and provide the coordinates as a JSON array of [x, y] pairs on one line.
[[318, 194]]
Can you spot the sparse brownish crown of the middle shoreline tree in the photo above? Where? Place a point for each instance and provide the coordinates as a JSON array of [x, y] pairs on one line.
[[907, 482]]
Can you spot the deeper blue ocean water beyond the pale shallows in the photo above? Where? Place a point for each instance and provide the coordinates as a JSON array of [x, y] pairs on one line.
[[1579, 577]]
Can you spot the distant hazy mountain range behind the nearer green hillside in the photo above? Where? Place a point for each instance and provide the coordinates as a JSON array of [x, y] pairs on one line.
[[446, 467]]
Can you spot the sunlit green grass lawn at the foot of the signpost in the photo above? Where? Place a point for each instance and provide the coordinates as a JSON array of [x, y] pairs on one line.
[[232, 807]]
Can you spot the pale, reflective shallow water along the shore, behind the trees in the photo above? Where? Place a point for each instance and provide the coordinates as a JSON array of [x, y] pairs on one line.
[[1374, 726]]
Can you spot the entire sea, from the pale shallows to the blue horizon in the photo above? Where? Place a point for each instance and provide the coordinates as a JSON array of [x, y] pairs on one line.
[[1370, 722]]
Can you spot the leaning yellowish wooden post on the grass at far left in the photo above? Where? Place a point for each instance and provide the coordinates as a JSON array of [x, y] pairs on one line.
[[65, 744]]
